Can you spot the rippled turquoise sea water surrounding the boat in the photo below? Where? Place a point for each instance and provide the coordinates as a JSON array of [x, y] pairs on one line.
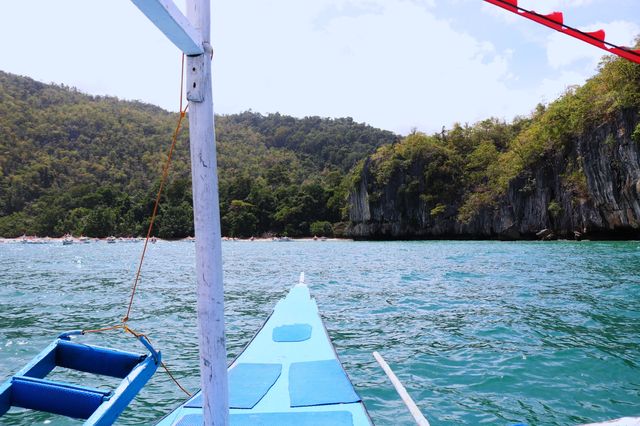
[[479, 332]]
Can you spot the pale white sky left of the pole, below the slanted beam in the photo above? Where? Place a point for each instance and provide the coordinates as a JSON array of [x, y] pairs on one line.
[[103, 48]]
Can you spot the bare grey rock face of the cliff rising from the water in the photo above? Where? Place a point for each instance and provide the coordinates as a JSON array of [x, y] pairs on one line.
[[589, 190]]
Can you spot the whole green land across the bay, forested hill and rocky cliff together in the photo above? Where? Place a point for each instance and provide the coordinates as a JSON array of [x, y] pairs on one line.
[[70, 162]]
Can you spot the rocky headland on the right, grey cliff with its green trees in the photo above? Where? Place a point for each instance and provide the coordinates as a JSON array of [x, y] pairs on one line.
[[569, 170]]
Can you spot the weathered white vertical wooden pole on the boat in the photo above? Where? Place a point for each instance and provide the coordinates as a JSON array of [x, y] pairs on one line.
[[206, 211]]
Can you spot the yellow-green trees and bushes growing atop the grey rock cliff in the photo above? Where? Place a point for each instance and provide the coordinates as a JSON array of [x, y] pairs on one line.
[[460, 171]]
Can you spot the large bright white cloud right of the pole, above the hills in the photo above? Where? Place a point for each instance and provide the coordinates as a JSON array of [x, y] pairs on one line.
[[397, 68]]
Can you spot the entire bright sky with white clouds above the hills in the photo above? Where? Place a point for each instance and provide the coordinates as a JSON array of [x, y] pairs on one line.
[[400, 65]]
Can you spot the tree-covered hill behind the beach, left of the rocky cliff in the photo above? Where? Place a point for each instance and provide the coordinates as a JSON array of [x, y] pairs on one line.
[[90, 165]]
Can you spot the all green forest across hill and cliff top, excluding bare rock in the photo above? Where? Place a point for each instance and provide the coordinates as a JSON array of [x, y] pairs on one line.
[[88, 165]]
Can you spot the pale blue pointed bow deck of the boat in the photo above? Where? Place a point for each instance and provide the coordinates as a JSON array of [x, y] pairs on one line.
[[311, 374]]
